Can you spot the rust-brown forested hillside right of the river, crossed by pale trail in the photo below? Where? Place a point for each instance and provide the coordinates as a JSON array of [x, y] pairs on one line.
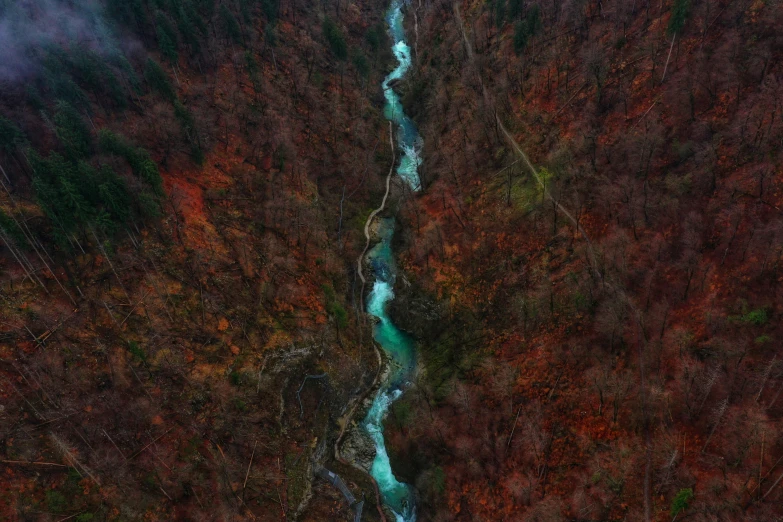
[[600, 325]]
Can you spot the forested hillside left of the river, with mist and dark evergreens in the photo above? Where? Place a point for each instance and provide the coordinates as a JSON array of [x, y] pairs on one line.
[[184, 190]]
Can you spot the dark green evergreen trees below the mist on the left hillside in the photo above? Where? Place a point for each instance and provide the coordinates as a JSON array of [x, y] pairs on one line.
[[82, 81]]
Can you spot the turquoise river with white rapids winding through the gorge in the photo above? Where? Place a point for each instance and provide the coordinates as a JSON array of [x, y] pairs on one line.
[[398, 496]]
